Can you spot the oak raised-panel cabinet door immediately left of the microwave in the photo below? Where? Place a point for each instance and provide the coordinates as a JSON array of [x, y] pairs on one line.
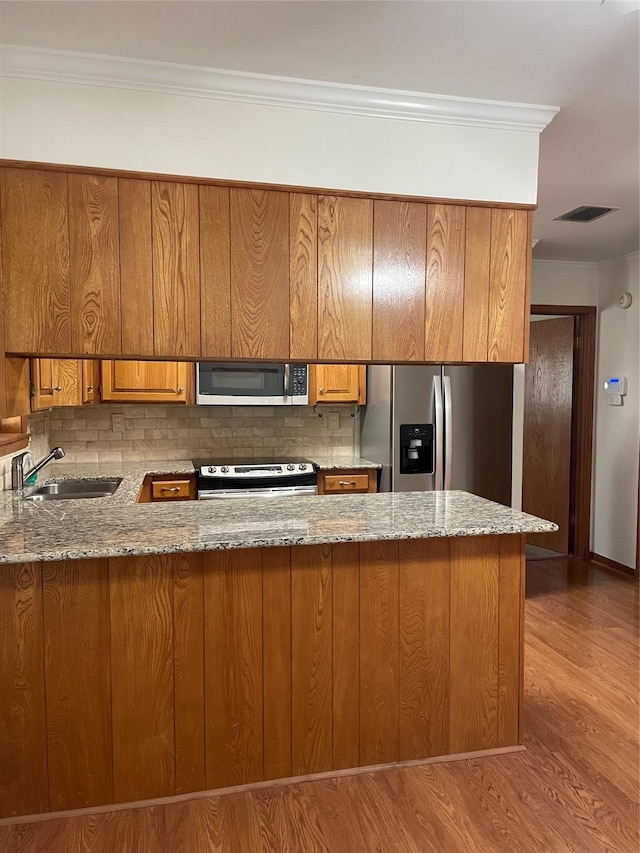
[[146, 381]]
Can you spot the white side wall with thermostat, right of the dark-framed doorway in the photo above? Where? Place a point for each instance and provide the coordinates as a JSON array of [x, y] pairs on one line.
[[617, 432]]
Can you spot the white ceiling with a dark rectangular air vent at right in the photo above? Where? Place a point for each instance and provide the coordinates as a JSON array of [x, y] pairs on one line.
[[582, 55]]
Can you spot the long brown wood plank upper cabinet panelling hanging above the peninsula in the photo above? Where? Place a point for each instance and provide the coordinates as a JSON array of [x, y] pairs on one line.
[[109, 266]]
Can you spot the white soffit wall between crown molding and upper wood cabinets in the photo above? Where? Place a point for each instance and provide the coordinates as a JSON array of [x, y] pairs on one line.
[[153, 132]]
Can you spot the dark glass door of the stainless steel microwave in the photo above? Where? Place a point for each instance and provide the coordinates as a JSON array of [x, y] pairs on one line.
[[239, 380]]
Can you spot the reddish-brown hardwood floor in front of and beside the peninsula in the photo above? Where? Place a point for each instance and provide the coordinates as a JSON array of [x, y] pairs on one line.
[[575, 789]]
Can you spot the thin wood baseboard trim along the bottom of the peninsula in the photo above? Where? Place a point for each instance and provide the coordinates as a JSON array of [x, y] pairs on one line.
[[254, 786]]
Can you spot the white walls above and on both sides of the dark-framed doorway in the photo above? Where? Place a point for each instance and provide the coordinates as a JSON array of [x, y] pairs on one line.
[[614, 510]]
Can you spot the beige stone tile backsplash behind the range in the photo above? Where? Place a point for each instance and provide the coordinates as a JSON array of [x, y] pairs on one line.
[[186, 432]]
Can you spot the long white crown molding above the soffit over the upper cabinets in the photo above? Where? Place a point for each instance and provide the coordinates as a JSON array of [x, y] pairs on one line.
[[62, 66]]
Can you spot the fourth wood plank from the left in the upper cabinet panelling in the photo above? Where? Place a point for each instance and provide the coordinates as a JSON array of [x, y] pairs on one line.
[[176, 269]]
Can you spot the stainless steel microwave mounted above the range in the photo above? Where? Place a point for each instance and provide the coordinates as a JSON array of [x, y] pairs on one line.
[[227, 384]]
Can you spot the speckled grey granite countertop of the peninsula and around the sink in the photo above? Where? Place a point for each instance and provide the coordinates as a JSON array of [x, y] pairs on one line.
[[118, 526]]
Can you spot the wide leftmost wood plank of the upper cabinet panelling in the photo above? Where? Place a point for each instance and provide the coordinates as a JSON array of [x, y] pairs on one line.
[[35, 261]]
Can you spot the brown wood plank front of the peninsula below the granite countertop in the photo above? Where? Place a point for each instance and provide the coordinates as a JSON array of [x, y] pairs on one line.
[[166, 674]]
